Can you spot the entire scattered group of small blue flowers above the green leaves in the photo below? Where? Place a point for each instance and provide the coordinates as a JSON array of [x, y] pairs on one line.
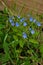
[[24, 24]]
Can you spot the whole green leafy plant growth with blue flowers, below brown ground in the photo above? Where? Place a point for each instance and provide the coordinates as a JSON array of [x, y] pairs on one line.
[[19, 44]]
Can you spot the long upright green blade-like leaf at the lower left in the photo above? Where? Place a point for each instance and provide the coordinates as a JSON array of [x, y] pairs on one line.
[[6, 49]]
